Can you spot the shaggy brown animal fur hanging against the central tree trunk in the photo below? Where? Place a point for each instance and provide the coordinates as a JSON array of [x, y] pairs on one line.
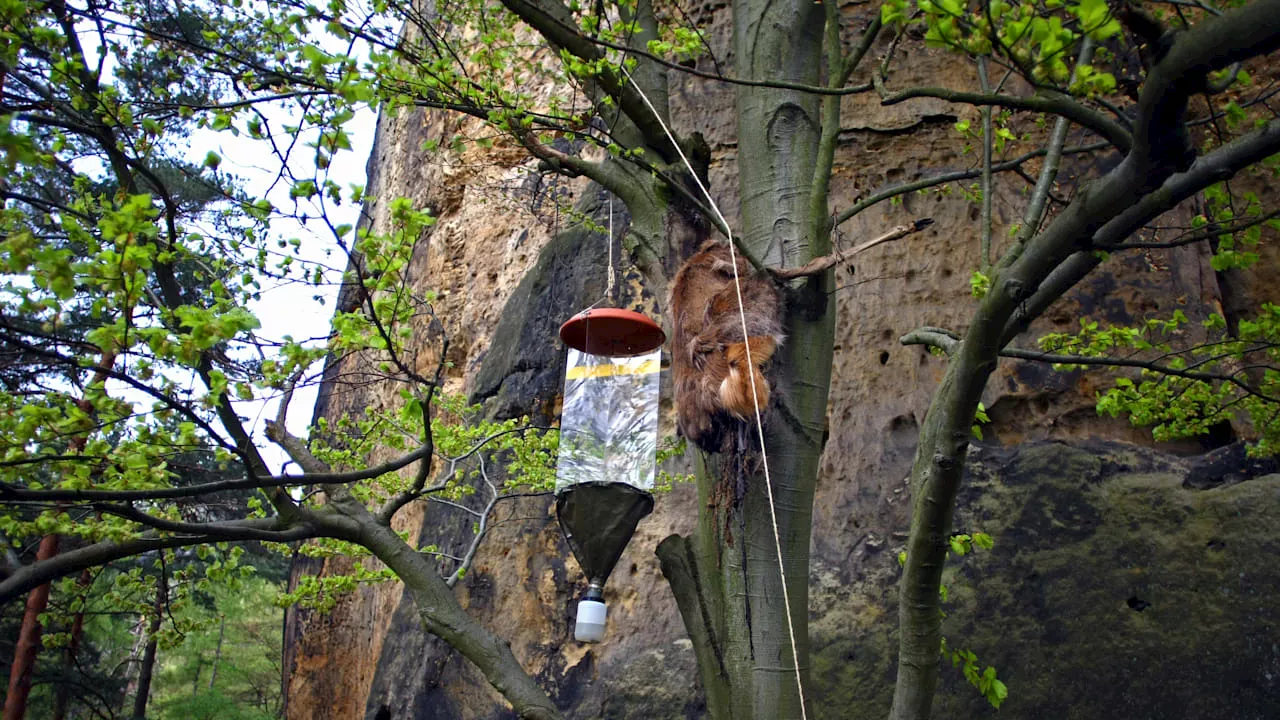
[[712, 375]]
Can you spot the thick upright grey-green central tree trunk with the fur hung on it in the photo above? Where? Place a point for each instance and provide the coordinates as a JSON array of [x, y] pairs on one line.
[[729, 578]]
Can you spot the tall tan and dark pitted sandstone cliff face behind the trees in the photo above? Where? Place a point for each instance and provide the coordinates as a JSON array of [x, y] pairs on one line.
[[1109, 581]]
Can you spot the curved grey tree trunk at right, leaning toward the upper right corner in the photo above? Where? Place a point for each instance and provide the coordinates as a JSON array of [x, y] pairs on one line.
[[1156, 174]]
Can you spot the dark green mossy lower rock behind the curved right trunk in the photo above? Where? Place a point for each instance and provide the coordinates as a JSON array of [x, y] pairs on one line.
[[1112, 593]]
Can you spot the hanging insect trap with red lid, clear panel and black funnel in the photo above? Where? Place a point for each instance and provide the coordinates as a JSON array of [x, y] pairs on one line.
[[609, 444]]
